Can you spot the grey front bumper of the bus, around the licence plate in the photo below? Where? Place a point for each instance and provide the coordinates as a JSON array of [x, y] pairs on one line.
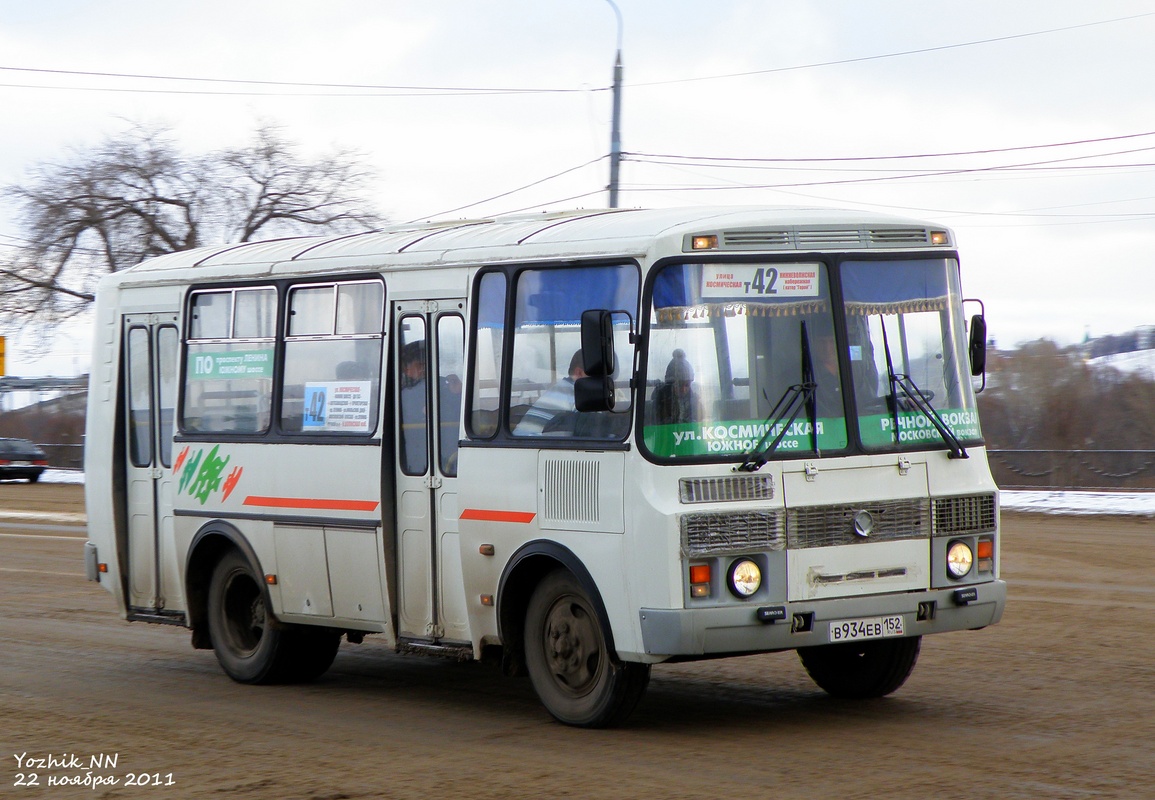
[[672, 633]]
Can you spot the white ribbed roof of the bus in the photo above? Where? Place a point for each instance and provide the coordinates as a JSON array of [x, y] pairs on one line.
[[577, 234]]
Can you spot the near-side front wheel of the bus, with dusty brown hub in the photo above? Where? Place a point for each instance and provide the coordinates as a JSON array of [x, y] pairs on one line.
[[576, 676]]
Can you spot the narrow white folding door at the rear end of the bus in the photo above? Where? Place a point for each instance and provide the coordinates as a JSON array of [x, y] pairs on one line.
[[150, 392]]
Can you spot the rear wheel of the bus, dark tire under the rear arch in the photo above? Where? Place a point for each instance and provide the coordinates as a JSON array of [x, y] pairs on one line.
[[250, 644]]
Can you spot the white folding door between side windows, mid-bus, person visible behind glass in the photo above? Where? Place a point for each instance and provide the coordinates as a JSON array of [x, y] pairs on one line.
[[428, 363]]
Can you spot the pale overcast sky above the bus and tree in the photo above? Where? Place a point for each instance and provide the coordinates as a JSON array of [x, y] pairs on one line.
[[1029, 128]]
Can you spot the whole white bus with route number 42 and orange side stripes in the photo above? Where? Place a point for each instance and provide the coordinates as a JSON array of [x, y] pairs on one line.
[[579, 444]]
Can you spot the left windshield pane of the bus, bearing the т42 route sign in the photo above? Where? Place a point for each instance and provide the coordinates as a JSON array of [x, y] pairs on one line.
[[743, 356]]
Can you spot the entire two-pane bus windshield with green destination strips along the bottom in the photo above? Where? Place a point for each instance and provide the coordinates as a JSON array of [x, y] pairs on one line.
[[744, 363]]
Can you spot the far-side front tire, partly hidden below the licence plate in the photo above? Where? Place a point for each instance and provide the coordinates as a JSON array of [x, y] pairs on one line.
[[861, 670]]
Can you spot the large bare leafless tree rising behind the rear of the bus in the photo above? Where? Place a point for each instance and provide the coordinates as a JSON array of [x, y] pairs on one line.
[[138, 196]]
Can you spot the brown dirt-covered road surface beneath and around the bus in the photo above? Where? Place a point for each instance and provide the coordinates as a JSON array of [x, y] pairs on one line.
[[1056, 702]]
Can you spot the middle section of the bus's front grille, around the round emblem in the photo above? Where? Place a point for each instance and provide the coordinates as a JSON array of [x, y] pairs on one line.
[[830, 526]]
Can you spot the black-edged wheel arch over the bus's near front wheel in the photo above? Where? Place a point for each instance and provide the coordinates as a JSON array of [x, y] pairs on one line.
[[525, 571]]
